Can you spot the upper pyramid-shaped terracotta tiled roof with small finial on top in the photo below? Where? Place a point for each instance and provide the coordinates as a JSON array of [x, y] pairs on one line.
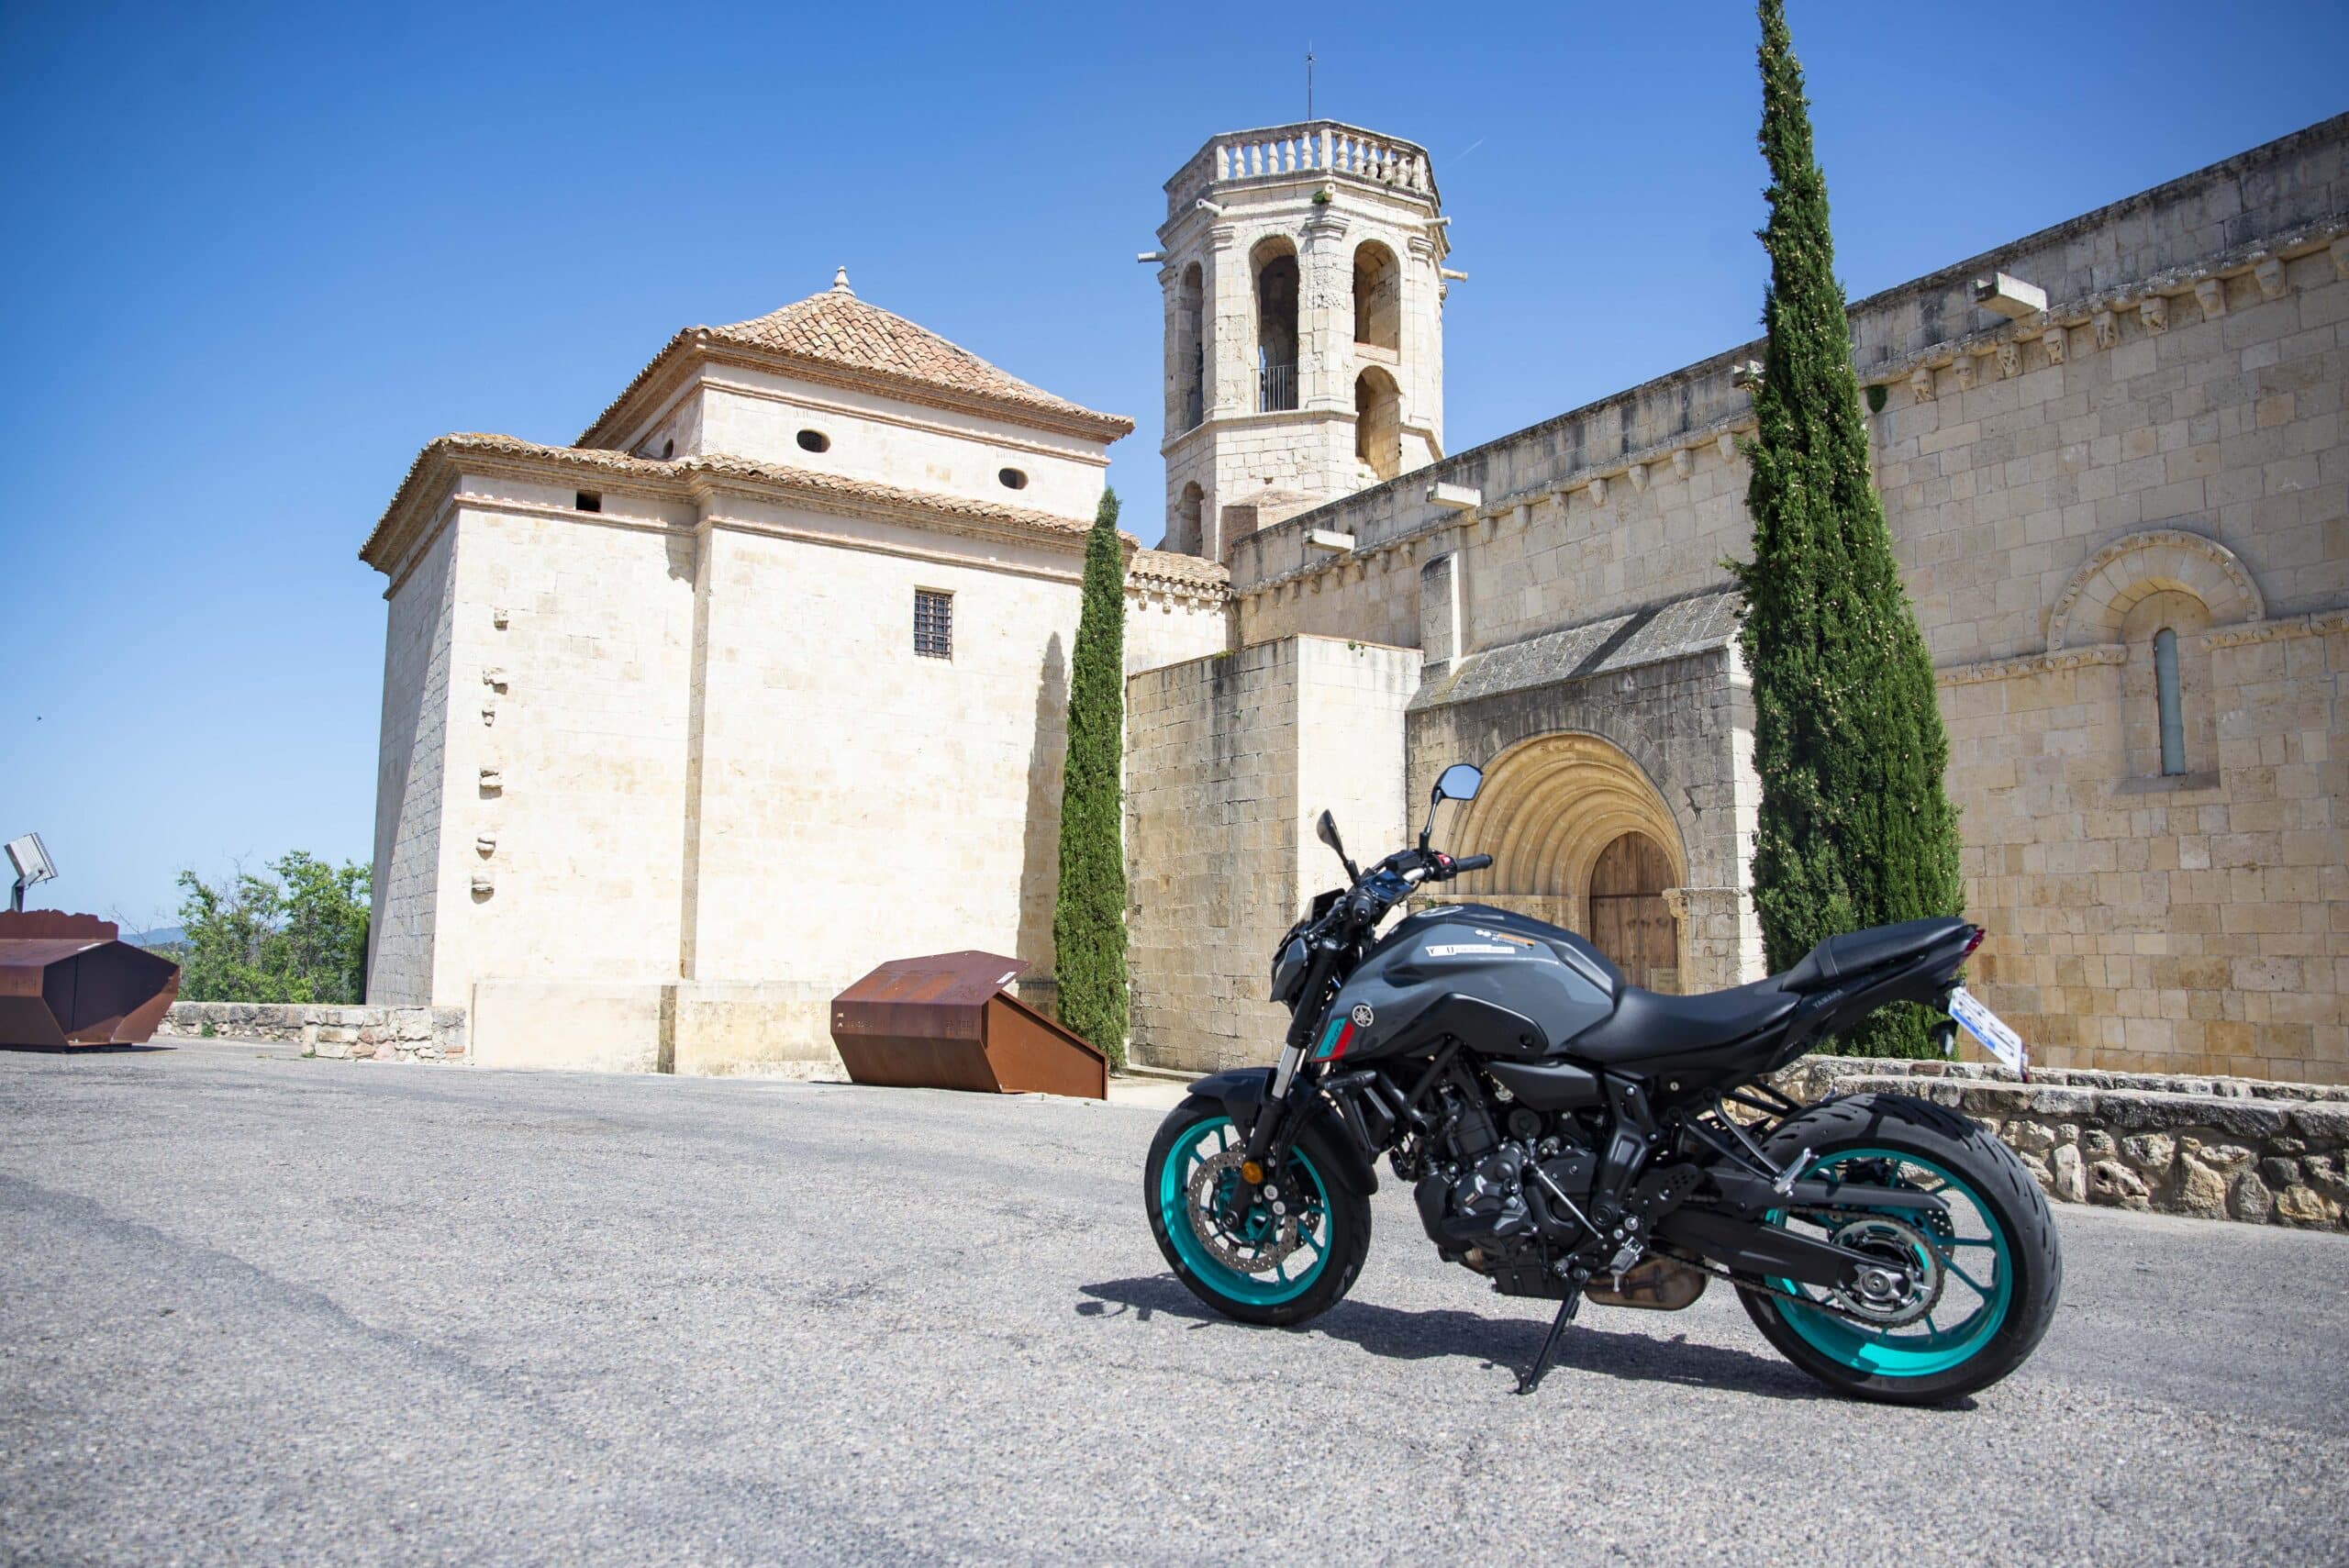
[[840, 332]]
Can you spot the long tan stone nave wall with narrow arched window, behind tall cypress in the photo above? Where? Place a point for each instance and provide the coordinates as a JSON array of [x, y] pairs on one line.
[[2162, 450]]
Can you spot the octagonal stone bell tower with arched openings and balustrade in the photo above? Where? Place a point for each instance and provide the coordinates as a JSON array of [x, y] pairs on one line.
[[1305, 325]]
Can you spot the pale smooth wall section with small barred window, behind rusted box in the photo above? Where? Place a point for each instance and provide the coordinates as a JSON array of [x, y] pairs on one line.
[[859, 802]]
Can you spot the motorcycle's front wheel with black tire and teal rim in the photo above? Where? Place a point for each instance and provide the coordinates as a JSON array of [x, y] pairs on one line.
[[1263, 1273]]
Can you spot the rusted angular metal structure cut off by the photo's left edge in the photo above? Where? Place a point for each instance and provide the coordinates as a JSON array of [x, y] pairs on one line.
[[67, 980]]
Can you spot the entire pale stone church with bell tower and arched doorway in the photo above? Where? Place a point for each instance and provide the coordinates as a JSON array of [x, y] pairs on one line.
[[765, 677]]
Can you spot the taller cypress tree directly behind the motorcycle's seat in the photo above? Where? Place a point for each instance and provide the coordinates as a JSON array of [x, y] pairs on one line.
[[1847, 734]]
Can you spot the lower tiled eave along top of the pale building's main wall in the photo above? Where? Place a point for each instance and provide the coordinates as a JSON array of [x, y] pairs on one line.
[[450, 452]]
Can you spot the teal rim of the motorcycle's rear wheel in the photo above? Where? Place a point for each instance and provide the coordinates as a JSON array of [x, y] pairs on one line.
[[1977, 1262]]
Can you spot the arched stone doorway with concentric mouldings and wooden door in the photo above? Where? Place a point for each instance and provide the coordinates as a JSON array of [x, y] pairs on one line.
[[1580, 834]]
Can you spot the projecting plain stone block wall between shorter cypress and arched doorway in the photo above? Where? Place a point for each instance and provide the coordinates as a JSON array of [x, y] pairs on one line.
[[1230, 759]]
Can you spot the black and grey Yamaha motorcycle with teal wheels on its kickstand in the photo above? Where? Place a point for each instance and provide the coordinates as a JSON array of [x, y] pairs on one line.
[[1580, 1140]]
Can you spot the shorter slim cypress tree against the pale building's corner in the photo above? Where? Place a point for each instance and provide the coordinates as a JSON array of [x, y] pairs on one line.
[[1089, 924]]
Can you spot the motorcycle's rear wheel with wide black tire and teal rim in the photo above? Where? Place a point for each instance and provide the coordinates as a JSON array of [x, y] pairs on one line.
[[1995, 1266]]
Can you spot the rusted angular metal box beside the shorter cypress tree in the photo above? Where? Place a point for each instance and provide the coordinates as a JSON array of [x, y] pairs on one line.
[[945, 1022]]
